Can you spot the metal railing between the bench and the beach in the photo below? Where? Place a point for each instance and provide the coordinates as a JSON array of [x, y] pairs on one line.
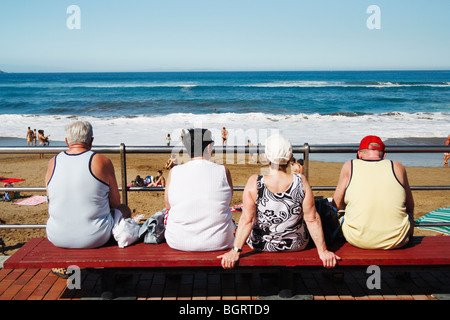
[[306, 150]]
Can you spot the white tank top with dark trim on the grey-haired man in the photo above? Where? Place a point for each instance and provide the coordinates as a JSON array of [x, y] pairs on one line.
[[78, 204]]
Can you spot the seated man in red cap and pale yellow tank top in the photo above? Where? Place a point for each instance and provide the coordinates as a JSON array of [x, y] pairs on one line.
[[377, 199]]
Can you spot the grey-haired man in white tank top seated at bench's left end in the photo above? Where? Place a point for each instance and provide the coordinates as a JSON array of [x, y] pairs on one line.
[[84, 199]]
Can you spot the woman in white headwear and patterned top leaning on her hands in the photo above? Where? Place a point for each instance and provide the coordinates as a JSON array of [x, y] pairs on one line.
[[276, 208]]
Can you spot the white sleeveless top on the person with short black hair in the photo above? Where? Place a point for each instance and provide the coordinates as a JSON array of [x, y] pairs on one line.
[[200, 218]]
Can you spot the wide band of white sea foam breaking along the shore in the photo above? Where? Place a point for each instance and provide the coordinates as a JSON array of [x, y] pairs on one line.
[[299, 128]]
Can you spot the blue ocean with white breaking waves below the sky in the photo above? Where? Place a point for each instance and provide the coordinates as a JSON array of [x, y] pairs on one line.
[[319, 108]]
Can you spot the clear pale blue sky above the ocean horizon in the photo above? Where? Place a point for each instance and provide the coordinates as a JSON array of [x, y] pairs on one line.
[[208, 35]]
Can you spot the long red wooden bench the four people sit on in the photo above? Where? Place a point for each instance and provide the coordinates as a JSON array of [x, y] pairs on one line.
[[429, 252]]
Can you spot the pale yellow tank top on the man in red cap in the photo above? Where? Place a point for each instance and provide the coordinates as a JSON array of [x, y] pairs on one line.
[[375, 215]]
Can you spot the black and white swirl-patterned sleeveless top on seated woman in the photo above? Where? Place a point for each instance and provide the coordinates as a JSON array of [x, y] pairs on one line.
[[279, 222]]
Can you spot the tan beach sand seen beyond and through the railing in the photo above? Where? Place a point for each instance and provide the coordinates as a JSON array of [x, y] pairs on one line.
[[32, 169]]
